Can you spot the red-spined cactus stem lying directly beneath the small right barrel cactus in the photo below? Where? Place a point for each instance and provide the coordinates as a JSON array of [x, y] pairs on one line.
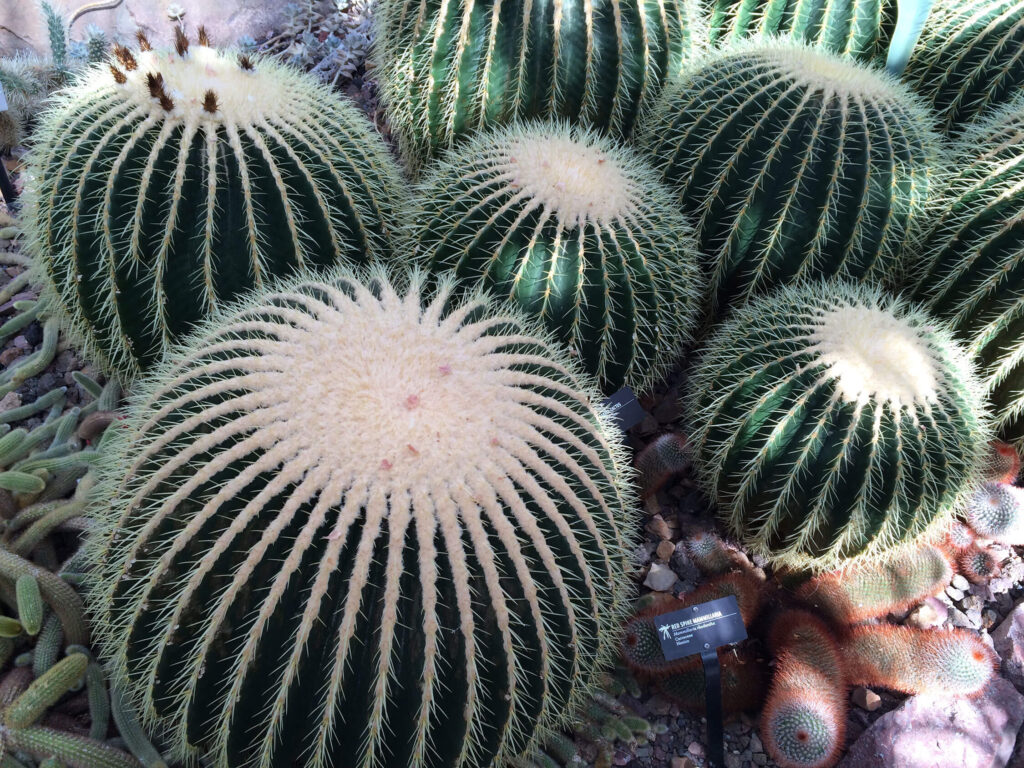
[[874, 589]]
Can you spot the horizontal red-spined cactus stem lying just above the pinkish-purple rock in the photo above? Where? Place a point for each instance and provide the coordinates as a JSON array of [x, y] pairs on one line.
[[954, 663]]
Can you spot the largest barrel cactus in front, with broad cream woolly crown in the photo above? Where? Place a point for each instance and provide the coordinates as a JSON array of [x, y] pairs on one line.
[[360, 523]]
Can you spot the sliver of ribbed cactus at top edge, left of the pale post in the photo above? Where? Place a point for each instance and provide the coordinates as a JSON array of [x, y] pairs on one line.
[[861, 30]]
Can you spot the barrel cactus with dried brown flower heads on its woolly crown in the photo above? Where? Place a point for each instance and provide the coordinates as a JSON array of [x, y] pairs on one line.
[[168, 183]]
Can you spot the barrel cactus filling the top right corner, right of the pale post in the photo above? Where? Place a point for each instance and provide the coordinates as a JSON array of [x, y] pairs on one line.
[[968, 59]]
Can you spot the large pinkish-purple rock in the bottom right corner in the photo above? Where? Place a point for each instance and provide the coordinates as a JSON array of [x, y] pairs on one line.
[[944, 733]]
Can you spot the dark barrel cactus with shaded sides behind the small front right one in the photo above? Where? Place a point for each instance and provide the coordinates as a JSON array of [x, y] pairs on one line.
[[793, 163]]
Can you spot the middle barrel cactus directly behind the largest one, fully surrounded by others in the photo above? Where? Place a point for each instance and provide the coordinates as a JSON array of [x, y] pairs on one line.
[[576, 231]]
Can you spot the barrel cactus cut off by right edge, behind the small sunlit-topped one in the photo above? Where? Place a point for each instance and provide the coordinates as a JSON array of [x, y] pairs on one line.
[[972, 269]]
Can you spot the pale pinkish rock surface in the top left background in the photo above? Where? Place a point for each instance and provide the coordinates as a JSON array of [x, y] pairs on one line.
[[24, 28]]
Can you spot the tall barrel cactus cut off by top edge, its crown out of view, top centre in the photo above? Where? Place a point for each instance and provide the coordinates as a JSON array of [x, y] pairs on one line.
[[451, 69]]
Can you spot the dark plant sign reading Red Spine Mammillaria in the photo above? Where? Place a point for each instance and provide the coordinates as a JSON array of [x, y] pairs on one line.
[[701, 628]]
